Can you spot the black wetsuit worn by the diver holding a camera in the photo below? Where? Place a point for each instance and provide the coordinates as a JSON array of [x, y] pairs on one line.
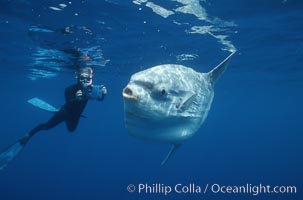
[[70, 112]]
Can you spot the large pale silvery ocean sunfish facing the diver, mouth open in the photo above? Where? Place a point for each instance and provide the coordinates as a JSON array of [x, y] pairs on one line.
[[169, 103]]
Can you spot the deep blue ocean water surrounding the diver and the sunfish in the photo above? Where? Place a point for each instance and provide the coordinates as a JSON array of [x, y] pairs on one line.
[[252, 136]]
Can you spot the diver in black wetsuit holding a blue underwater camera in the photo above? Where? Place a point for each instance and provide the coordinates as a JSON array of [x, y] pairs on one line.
[[76, 98]]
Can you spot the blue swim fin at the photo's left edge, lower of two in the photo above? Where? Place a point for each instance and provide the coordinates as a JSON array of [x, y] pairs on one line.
[[12, 151]]
